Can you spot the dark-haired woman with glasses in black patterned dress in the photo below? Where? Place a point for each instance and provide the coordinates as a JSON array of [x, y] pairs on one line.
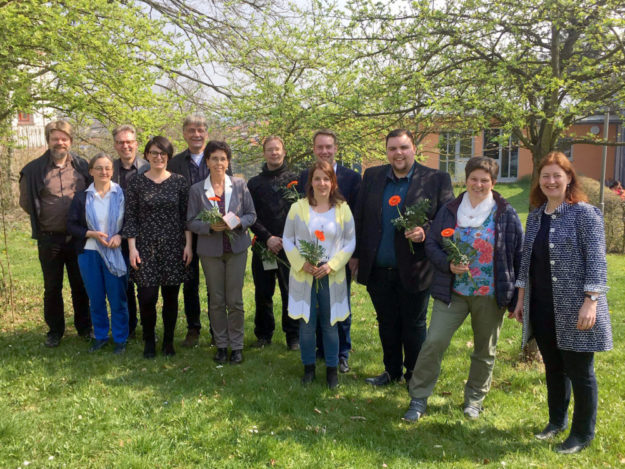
[[159, 245]]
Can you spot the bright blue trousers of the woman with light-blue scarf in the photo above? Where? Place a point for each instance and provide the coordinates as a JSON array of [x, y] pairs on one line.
[[100, 285]]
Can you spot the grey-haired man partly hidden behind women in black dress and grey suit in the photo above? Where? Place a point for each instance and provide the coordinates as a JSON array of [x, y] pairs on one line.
[[192, 165]]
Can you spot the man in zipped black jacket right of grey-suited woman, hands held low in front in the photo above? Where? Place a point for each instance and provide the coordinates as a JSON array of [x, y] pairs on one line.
[[268, 191]]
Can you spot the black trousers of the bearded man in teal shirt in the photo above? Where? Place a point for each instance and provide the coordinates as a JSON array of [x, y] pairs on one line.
[[401, 320]]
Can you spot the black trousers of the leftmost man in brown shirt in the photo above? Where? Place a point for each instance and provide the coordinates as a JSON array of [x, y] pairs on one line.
[[56, 252]]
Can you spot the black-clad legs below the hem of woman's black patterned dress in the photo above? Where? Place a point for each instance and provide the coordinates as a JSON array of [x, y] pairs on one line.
[[148, 296]]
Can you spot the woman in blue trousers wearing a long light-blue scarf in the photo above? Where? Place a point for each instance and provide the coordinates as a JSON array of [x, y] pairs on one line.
[[95, 220]]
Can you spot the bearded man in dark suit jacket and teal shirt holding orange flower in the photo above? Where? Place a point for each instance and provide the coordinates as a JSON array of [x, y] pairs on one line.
[[397, 280]]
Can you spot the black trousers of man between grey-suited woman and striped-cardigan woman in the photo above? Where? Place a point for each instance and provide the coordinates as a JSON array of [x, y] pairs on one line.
[[265, 285]]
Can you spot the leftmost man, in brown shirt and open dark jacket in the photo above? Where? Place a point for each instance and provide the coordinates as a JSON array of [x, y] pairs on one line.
[[47, 186]]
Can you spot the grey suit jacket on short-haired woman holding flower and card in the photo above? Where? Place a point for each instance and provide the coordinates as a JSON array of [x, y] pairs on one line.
[[238, 201]]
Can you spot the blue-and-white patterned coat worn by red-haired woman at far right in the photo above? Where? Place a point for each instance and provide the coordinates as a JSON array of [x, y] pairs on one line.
[[578, 265]]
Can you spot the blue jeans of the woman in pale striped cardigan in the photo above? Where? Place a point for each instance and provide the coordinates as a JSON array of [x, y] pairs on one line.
[[319, 311]]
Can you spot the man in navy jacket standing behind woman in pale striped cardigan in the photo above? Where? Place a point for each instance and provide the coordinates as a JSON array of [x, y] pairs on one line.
[[325, 146]]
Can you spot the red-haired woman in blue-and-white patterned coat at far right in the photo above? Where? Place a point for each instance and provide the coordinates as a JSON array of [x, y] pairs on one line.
[[562, 302]]
